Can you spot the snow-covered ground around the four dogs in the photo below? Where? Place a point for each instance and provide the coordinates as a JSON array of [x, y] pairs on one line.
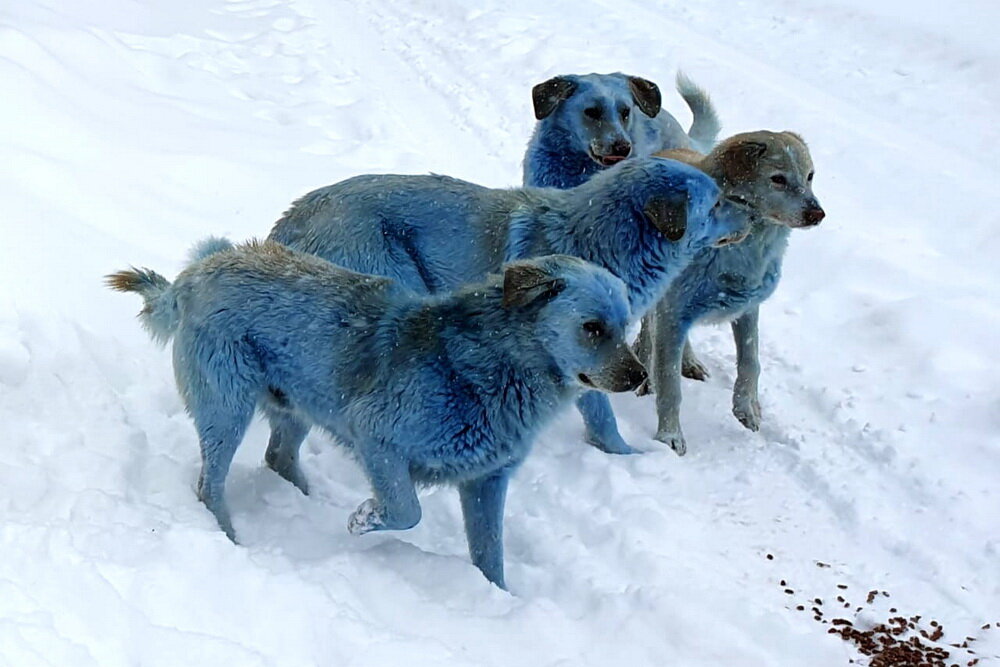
[[132, 129]]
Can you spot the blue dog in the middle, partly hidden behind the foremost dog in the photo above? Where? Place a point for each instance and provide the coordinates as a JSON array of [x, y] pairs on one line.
[[644, 221]]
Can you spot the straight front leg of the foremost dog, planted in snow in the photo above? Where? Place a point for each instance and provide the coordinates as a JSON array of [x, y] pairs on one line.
[[482, 508]]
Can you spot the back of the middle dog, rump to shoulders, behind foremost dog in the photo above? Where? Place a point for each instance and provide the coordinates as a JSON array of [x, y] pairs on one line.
[[431, 233]]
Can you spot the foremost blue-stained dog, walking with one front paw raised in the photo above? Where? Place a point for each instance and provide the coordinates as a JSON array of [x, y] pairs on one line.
[[441, 389]]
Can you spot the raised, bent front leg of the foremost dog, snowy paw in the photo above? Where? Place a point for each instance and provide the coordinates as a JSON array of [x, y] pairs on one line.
[[395, 505]]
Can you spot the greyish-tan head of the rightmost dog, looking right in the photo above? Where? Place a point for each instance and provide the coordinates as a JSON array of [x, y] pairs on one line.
[[772, 172]]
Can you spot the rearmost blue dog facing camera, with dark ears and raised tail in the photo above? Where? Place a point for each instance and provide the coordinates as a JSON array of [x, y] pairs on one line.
[[587, 123]]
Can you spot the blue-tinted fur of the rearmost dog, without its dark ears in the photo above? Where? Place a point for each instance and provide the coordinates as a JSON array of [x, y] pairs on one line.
[[561, 151]]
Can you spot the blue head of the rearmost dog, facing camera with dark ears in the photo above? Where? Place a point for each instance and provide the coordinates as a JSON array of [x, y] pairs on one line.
[[598, 112]]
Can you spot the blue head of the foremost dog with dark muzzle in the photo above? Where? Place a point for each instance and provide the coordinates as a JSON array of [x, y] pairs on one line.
[[579, 313]]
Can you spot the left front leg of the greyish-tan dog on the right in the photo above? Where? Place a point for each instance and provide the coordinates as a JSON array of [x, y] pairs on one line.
[[669, 336]]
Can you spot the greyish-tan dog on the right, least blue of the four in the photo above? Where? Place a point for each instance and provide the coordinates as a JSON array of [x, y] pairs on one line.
[[771, 174]]
